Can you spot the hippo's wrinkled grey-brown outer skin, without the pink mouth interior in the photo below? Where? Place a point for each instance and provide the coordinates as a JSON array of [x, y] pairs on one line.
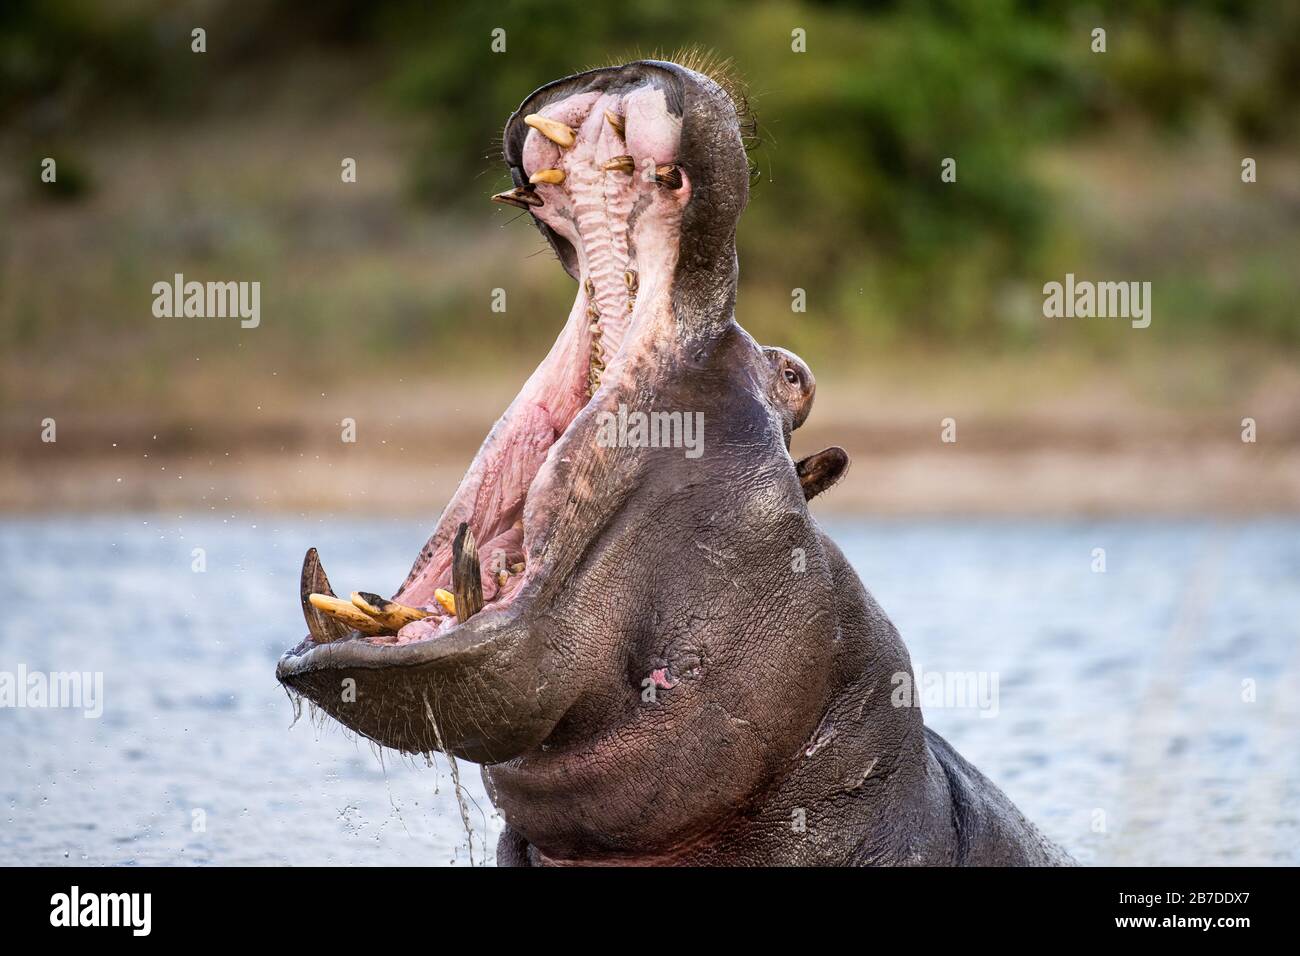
[[769, 736]]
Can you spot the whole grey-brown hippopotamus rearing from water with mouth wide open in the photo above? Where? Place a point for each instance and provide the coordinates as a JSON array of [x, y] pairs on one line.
[[627, 613]]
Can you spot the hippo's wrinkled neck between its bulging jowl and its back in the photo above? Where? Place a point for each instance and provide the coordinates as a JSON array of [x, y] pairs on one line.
[[863, 788]]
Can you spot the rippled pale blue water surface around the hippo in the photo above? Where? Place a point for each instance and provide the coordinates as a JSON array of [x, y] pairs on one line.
[[1143, 716]]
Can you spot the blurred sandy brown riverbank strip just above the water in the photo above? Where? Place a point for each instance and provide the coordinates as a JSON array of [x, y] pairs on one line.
[[1048, 438]]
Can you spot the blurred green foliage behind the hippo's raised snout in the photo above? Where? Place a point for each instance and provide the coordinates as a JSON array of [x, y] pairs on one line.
[[855, 131]]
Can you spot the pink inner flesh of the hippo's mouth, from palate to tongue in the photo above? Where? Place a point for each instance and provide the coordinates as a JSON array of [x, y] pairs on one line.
[[599, 171]]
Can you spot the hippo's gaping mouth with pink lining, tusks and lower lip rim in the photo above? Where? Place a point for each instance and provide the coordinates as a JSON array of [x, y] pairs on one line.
[[596, 162]]
